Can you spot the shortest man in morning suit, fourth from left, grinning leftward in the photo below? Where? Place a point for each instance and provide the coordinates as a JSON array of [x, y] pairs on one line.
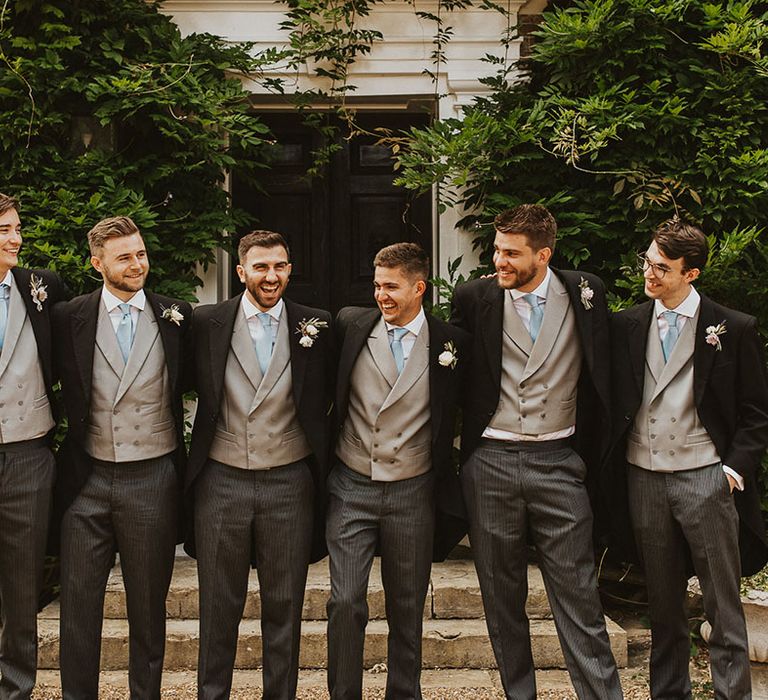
[[400, 375]]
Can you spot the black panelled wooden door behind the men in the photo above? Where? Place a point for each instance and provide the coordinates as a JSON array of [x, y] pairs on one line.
[[336, 222]]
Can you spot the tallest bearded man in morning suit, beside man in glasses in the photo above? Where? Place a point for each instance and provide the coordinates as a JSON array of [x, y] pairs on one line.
[[537, 403]]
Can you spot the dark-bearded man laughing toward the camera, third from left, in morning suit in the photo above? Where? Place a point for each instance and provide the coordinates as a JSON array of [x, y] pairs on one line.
[[264, 370]]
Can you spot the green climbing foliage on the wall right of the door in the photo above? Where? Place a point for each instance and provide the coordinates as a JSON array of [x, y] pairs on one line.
[[632, 111]]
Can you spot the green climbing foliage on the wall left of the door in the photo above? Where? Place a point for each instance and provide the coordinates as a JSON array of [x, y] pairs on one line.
[[106, 109]]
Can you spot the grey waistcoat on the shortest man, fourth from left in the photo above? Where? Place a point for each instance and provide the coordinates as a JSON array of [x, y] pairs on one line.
[[387, 433]]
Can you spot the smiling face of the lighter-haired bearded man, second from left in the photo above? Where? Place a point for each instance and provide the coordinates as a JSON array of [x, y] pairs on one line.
[[123, 264]]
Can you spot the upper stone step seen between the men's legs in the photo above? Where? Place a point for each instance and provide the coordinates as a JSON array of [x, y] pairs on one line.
[[453, 593]]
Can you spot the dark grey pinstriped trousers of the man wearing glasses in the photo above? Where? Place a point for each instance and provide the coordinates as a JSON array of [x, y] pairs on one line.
[[672, 513]]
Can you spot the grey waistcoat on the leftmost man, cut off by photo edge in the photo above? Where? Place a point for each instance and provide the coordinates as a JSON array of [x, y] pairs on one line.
[[25, 413]]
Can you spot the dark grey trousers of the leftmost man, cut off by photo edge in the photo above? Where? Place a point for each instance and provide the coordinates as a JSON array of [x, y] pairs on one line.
[[26, 480]]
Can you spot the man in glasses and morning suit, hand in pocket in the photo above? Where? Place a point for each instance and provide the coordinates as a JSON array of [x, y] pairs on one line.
[[692, 401]]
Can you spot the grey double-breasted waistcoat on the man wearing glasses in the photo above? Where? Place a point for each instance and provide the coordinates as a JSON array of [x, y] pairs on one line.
[[667, 434]]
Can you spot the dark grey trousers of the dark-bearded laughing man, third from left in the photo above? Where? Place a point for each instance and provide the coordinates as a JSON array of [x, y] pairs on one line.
[[239, 514]]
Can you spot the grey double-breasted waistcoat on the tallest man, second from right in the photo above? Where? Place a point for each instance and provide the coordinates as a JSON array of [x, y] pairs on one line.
[[538, 380]]
